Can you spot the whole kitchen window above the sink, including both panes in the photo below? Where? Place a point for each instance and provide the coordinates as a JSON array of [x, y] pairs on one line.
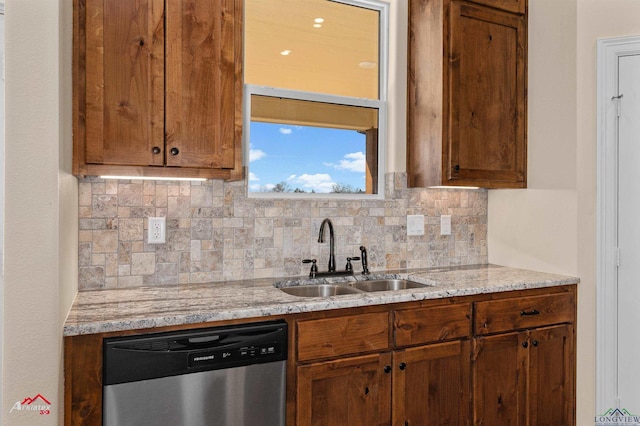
[[315, 97]]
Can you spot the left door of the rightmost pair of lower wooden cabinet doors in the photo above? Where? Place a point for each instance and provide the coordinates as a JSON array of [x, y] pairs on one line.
[[499, 366]]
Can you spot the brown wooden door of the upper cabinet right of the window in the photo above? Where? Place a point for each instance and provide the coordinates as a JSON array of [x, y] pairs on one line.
[[487, 98]]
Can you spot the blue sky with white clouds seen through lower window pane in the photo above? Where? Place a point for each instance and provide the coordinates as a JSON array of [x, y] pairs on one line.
[[309, 158]]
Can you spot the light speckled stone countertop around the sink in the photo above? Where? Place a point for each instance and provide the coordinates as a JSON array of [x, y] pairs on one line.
[[103, 311]]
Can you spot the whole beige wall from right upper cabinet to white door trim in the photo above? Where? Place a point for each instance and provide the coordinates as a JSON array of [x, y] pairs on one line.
[[551, 225]]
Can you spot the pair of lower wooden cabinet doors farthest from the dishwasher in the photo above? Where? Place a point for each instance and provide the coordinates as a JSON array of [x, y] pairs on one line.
[[525, 378]]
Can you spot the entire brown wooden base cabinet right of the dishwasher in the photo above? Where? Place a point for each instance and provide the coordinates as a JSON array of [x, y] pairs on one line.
[[491, 360]]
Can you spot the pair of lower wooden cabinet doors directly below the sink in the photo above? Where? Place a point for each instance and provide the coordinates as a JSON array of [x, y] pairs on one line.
[[426, 385]]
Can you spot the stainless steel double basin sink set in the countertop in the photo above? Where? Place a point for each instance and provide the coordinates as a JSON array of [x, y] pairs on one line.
[[356, 287]]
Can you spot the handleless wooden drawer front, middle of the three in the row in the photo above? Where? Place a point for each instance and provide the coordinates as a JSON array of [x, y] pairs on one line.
[[433, 324]]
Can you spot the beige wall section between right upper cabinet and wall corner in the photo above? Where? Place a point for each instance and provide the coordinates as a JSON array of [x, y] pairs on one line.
[[536, 228]]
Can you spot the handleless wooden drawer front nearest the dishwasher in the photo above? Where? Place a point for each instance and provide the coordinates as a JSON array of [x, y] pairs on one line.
[[331, 337]]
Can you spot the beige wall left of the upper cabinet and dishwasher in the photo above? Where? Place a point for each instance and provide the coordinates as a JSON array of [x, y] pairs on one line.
[[40, 206]]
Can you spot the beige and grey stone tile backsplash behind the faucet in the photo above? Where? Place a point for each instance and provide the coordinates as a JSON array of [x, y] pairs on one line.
[[216, 233]]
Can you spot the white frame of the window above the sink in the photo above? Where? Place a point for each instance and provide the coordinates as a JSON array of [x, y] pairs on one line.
[[380, 104]]
